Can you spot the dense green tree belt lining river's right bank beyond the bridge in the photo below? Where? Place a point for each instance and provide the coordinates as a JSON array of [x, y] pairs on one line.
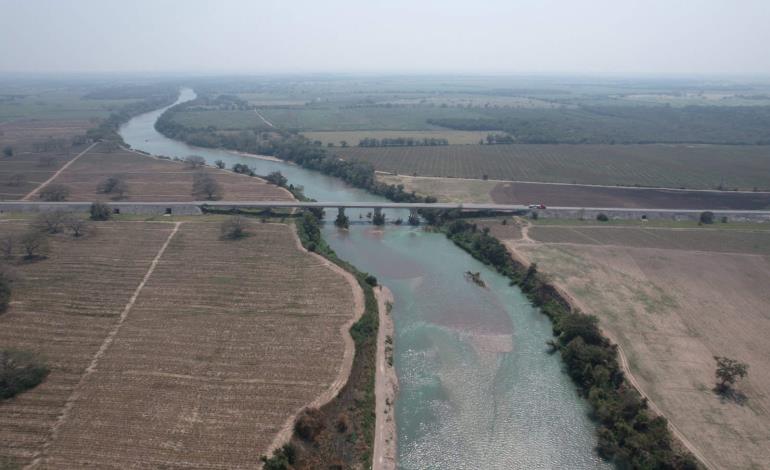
[[290, 147]]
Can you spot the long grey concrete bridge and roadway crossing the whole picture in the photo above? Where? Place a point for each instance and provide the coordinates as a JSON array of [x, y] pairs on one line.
[[195, 207]]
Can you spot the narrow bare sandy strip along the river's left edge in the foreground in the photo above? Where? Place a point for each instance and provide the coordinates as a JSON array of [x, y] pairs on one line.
[[385, 386]]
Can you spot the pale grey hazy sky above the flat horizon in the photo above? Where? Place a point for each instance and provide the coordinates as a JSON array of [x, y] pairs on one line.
[[658, 37]]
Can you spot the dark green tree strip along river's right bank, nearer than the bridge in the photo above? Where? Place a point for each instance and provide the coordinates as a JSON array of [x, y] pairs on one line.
[[630, 434]]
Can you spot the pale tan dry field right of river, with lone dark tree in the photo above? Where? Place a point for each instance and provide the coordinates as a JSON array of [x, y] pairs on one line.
[[672, 298]]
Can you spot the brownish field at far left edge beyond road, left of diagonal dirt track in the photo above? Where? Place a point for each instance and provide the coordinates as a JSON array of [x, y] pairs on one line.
[[34, 166]]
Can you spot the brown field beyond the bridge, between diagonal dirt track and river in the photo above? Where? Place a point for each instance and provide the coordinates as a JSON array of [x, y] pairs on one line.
[[151, 179]]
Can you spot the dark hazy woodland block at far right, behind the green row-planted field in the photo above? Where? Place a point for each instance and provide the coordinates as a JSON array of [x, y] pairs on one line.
[[624, 124]]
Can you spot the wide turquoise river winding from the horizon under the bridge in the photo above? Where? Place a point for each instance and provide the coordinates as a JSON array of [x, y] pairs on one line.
[[477, 386]]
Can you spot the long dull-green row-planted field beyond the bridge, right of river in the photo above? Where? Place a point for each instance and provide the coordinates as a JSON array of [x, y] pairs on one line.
[[671, 166]]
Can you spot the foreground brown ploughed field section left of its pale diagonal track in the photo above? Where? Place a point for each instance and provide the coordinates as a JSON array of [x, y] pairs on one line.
[[63, 308]]
